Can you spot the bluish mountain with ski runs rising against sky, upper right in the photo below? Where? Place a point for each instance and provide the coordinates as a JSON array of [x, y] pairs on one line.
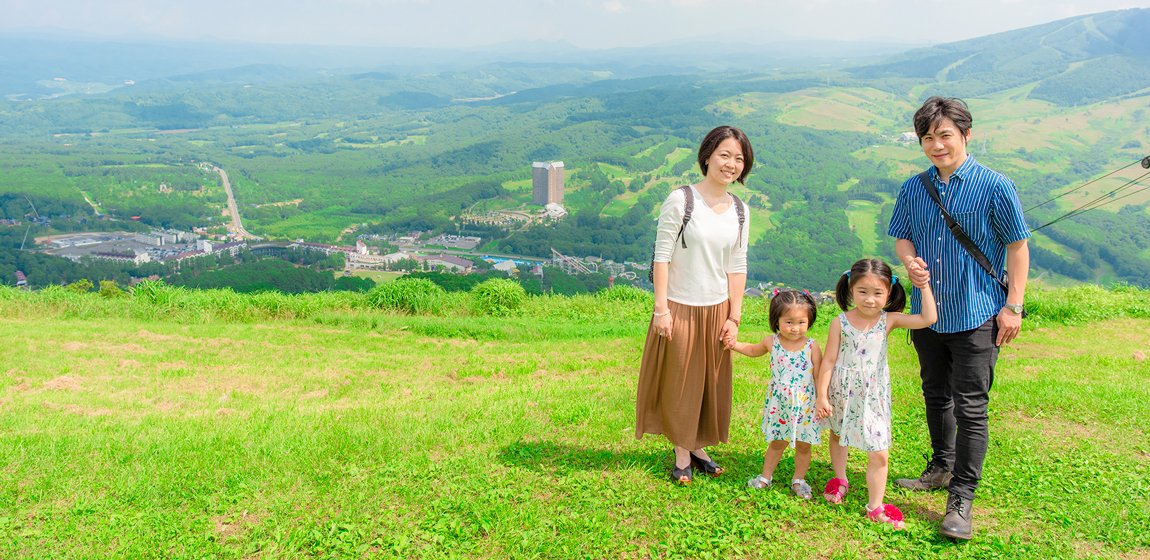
[[1075, 62]]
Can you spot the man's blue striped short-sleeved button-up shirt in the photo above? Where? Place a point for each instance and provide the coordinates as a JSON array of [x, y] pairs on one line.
[[987, 206]]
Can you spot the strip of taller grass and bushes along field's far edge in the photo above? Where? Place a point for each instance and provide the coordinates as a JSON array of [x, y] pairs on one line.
[[156, 301]]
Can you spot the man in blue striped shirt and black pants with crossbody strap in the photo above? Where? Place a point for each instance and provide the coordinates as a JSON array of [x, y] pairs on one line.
[[976, 316]]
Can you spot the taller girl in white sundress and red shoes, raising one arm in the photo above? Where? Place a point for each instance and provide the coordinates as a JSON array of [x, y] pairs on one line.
[[854, 383]]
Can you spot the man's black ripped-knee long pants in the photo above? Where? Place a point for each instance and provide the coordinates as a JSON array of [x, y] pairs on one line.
[[957, 371]]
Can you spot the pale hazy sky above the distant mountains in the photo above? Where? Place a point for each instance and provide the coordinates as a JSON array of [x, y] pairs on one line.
[[584, 24]]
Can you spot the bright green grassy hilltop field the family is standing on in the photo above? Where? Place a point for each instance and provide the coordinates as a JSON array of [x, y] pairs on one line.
[[134, 429]]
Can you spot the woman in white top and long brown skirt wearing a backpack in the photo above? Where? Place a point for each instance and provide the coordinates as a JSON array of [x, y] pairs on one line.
[[700, 275]]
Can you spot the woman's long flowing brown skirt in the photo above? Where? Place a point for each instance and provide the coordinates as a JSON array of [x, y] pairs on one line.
[[686, 383]]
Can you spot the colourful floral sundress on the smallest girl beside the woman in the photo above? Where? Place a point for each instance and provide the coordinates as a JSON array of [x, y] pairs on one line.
[[788, 413]]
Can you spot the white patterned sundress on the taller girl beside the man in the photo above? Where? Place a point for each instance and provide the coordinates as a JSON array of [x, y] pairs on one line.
[[861, 388]]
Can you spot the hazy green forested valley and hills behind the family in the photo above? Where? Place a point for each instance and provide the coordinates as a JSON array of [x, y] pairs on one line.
[[317, 152]]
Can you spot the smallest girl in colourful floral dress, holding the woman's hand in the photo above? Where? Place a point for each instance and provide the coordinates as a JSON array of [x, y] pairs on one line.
[[788, 415]]
